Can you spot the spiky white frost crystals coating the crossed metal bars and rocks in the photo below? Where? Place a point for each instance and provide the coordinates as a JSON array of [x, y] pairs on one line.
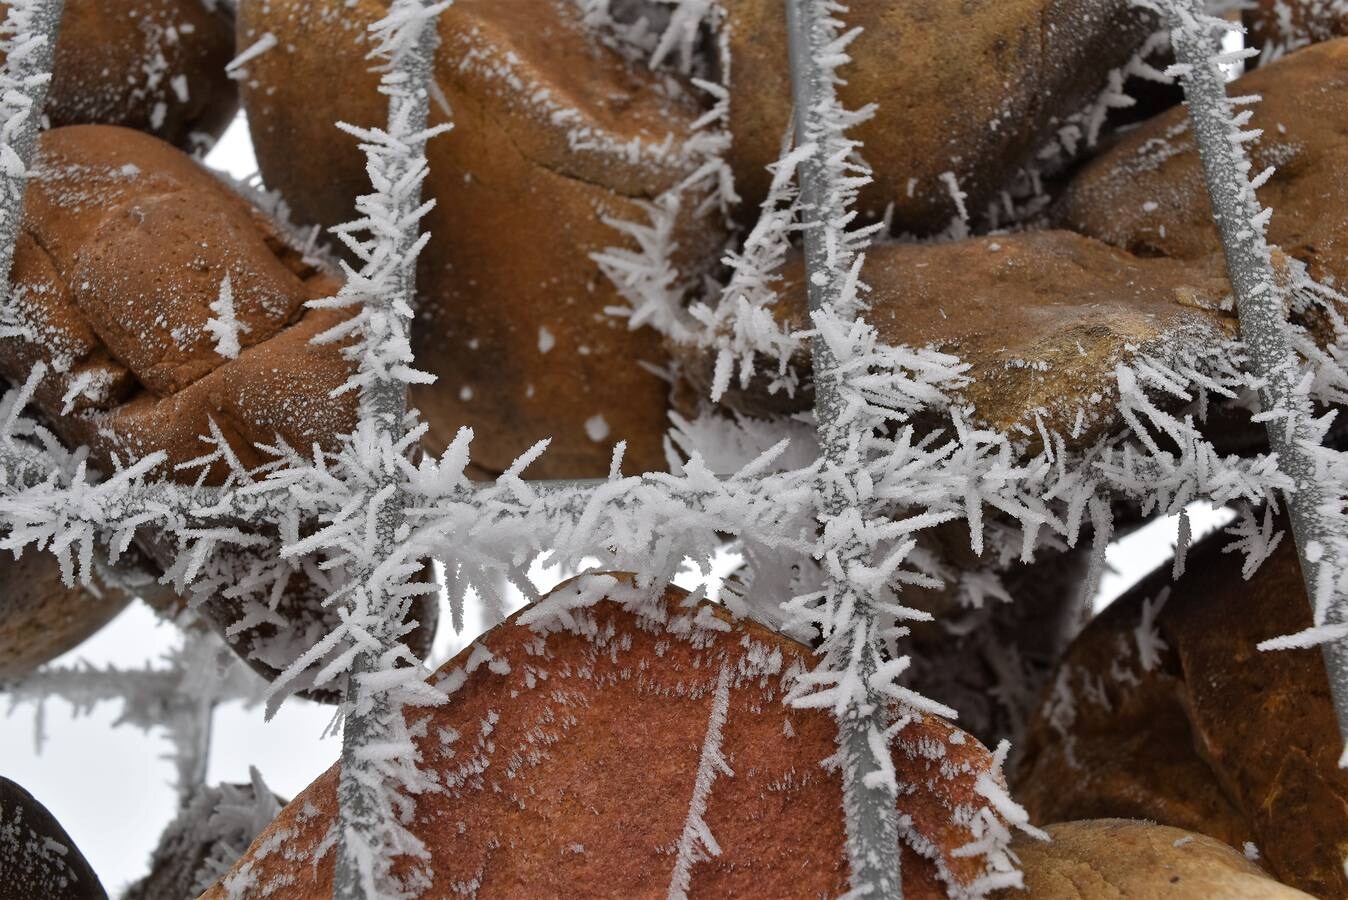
[[862, 470]]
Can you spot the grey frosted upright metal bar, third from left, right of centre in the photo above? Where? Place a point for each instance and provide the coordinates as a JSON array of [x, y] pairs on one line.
[[873, 829]]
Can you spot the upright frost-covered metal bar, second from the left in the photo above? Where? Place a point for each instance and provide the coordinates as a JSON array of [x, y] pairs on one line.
[[385, 288]]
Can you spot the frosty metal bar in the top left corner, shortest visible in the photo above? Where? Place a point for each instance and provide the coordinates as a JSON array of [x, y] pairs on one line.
[[30, 45]]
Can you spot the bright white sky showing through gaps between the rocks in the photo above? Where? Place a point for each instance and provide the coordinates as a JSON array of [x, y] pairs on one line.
[[113, 789]]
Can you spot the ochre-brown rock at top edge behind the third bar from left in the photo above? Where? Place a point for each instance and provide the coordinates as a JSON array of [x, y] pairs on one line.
[[975, 90]]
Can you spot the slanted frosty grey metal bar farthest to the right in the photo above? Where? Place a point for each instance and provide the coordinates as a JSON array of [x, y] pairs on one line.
[[1315, 507]]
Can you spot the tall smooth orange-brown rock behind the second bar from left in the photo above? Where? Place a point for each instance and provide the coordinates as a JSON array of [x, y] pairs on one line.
[[553, 135]]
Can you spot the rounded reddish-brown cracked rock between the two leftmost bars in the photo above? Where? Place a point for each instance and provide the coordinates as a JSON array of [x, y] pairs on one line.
[[126, 246]]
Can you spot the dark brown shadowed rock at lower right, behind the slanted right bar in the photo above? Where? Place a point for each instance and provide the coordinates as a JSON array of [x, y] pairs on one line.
[[1164, 709]]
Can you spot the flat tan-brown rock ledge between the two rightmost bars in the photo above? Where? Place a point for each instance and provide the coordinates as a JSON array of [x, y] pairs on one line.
[[1043, 319]]
